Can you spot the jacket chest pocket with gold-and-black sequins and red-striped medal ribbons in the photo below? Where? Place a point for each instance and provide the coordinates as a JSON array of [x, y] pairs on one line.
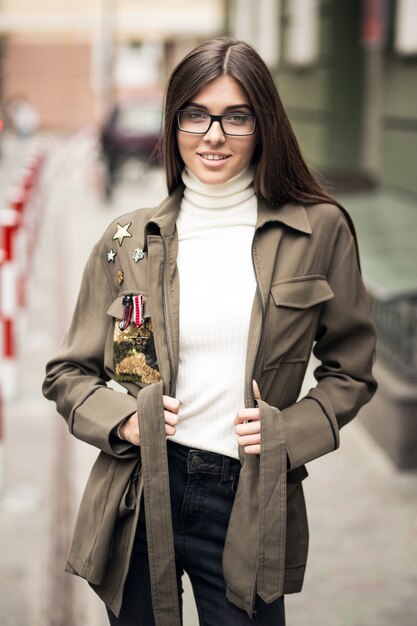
[[134, 355]]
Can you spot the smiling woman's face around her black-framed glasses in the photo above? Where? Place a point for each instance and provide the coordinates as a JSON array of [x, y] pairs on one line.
[[222, 95]]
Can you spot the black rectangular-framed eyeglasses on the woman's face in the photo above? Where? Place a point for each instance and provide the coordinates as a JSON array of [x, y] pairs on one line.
[[199, 123]]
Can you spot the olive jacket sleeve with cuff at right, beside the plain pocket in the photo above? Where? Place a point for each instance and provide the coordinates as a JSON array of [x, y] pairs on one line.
[[345, 347]]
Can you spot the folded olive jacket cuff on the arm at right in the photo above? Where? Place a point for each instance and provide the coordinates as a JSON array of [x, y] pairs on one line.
[[311, 428]]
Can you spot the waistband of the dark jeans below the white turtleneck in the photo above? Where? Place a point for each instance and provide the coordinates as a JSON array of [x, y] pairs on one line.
[[203, 461]]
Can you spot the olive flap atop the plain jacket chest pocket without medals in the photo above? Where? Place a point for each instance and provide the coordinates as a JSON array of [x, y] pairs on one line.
[[303, 292]]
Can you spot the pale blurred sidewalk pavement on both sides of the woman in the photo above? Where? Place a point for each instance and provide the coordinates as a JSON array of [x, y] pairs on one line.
[[363, 512]]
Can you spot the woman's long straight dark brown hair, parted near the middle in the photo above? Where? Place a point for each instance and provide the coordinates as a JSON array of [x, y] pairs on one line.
[[281, 174]]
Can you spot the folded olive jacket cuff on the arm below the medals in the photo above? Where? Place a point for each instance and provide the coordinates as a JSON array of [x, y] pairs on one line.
[[95, 421]]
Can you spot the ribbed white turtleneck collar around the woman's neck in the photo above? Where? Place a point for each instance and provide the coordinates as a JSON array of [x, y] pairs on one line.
[[233, 192]]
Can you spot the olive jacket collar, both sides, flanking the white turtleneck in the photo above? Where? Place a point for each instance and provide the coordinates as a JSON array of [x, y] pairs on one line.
[[292, 215]]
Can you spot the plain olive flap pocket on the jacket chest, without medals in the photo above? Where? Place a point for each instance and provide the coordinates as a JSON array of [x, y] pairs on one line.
[[293, 312]]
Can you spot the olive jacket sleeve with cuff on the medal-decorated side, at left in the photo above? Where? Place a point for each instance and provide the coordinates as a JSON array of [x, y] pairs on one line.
[[75, 377]]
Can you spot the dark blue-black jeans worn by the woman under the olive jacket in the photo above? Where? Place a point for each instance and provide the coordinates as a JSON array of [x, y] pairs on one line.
[[203, 486]]
